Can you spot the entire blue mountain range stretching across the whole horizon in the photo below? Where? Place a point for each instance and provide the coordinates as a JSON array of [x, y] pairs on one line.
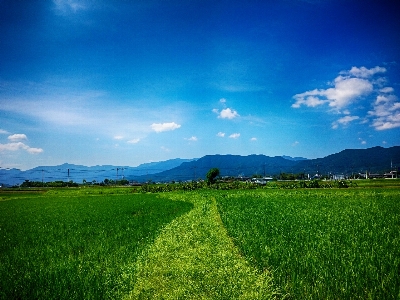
[[346, 162]]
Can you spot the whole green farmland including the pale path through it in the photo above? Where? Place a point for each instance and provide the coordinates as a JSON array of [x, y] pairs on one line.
[[108, 243]]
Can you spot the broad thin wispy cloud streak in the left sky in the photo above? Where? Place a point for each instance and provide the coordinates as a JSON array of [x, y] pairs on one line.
[[77, 109]]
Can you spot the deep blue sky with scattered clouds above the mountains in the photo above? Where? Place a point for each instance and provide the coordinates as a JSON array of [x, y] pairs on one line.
[[128, 82]]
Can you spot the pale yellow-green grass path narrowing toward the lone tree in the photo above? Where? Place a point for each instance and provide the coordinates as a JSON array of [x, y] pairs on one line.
[[194, 258]]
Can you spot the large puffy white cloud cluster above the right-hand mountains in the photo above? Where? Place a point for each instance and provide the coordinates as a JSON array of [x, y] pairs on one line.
[[351, 86]]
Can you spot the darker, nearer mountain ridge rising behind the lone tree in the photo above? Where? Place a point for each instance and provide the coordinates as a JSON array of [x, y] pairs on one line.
[[346, 162]]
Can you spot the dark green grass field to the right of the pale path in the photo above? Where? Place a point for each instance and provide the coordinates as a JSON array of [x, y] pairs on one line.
[[320, 244]]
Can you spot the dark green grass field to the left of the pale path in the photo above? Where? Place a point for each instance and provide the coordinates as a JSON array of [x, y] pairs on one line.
[[71, 245]]
